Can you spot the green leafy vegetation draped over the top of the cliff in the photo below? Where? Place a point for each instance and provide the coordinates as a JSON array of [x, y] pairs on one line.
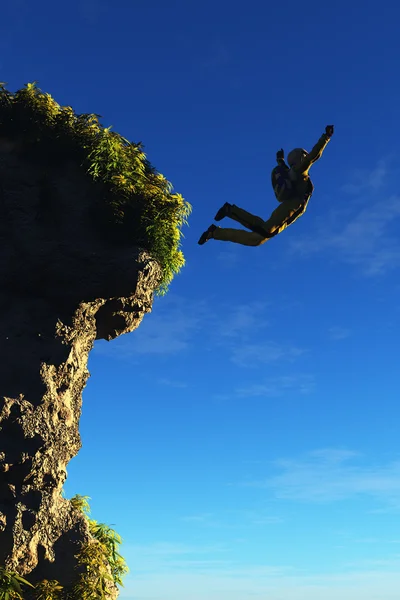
[[137, 202]]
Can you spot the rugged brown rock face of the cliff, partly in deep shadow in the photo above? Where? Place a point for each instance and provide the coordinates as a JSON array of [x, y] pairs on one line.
[[63, 285]]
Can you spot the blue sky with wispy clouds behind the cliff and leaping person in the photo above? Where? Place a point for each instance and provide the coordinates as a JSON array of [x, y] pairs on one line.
[[244, 441]]
